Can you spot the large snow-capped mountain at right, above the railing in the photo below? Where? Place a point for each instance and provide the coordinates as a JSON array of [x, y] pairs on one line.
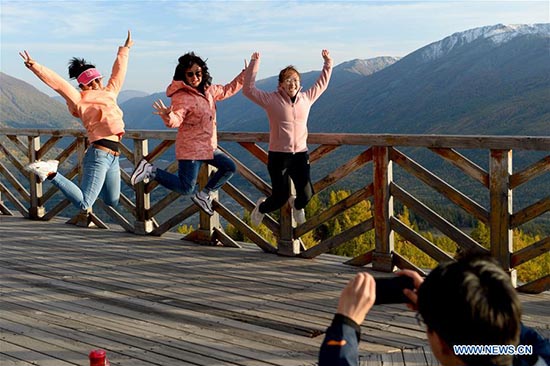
[[489, 81]]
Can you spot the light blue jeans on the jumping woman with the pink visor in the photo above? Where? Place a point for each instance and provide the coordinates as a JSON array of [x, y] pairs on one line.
[[100, 176]]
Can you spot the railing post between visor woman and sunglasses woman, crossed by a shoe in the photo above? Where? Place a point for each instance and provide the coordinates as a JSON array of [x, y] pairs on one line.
[[143, 223]]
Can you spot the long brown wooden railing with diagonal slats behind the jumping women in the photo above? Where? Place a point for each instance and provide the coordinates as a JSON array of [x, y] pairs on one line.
[[371, 160]]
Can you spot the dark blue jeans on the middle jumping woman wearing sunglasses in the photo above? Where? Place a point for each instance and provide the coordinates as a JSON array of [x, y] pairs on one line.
[[188, 170]]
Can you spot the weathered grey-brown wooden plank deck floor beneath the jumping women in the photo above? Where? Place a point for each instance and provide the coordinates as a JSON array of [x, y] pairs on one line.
[[164, 301]]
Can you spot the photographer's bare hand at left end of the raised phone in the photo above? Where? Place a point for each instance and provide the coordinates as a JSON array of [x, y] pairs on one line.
[[358, 297]]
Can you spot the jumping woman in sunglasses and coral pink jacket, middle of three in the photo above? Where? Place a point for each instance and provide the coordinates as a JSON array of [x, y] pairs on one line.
[[193, 113]]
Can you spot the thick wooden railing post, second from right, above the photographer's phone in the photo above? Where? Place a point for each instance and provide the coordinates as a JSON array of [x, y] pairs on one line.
[[382, 259]]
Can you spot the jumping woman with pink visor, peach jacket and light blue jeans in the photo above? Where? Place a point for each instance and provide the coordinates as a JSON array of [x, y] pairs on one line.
[[97, 108]]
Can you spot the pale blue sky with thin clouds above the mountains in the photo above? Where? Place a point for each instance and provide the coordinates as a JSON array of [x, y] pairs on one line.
[[227, 32]]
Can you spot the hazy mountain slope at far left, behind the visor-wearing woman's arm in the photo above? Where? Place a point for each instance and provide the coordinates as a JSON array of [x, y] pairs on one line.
[[24, 106]]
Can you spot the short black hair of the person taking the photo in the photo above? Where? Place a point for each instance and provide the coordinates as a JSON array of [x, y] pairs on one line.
[[472, 302]]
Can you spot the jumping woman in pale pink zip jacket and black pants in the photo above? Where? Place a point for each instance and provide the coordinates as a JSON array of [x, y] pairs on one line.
[[287, 110]]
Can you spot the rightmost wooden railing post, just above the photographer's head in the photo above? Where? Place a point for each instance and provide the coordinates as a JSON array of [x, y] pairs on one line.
[[501, 236]]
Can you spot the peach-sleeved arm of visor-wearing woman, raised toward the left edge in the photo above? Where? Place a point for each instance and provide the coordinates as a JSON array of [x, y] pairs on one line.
[[53, 80]]
